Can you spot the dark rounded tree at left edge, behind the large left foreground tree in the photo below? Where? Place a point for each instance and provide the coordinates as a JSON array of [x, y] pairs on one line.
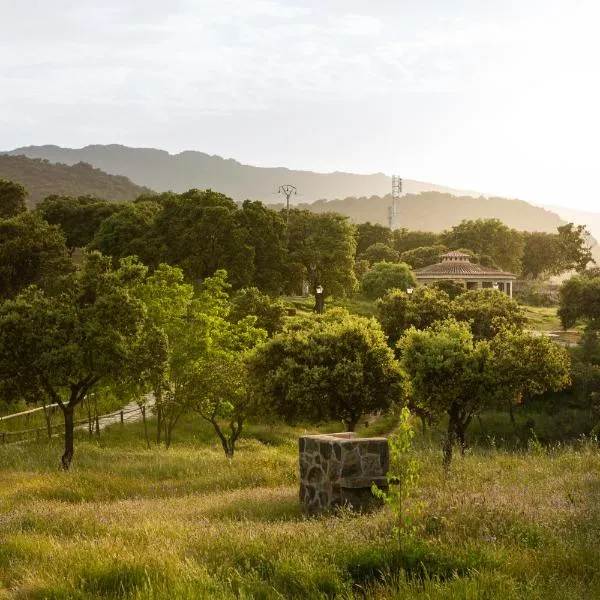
[[31, 252]]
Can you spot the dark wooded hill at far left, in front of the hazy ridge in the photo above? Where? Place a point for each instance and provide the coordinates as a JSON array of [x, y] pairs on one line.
[[43, 178]]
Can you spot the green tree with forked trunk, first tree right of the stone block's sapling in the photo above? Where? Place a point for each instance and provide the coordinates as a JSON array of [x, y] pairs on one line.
[[448, 374]]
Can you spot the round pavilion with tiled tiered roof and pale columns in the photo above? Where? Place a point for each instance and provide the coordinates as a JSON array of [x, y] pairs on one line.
[[457, 266]]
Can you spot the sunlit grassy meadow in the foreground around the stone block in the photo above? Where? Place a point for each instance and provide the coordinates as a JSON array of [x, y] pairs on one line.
[[127, 522]]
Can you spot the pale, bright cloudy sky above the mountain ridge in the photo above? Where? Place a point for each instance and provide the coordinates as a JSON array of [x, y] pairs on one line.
[[502, 97]]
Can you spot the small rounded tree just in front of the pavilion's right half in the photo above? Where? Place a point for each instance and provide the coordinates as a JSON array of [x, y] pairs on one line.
[[488, 311]]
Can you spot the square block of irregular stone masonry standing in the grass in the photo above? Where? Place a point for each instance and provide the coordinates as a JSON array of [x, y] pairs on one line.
[[339, 469]]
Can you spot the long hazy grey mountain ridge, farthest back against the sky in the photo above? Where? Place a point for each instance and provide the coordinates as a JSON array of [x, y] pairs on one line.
[[162, 171]]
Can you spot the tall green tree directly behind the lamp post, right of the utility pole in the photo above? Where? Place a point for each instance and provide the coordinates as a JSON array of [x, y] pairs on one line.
[[321, 251]]
